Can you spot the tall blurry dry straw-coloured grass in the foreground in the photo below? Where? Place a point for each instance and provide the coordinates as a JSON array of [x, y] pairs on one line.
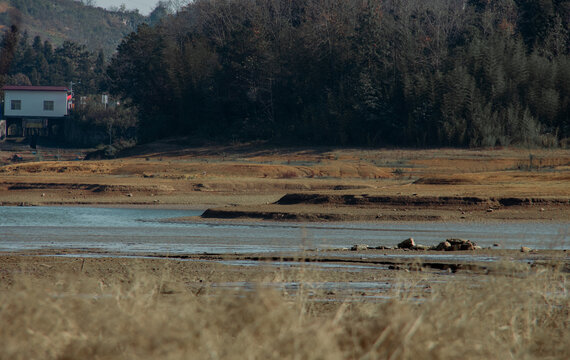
[[510, 315]]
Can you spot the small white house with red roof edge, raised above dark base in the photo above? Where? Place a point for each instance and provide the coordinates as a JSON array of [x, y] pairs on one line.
[[35, 110]]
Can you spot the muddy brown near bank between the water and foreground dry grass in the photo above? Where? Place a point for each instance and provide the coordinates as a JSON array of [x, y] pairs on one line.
[[198, 270]]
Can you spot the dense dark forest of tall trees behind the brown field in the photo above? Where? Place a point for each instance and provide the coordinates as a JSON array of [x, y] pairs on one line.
[[474, 73]]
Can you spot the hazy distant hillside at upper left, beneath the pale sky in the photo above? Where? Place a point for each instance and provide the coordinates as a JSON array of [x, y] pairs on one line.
[[60, 20]]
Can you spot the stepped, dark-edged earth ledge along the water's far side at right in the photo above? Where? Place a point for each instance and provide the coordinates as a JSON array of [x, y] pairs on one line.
[[365, 207]]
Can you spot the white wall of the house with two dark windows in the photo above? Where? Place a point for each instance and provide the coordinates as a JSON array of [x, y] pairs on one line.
[[32, 103]]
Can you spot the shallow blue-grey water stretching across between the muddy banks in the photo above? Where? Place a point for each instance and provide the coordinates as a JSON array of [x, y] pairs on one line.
[[144, 230]]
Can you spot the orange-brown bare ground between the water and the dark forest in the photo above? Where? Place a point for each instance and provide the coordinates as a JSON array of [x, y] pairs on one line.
[[256, 181]]
